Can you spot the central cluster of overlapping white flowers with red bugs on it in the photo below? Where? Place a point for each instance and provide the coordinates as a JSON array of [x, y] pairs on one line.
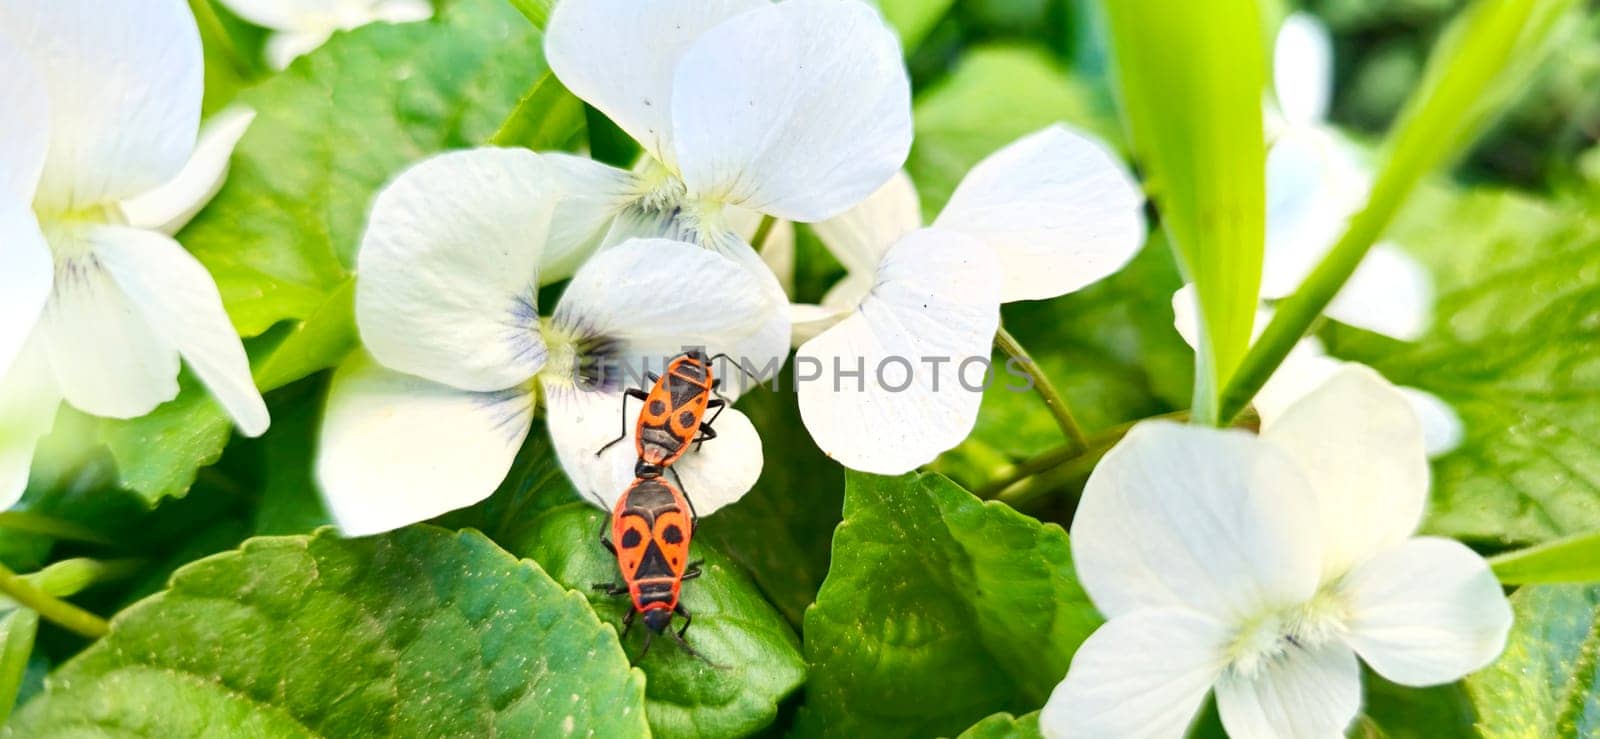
[[798, 111]]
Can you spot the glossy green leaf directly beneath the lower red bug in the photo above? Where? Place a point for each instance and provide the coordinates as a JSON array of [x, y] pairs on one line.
[[754, 655]]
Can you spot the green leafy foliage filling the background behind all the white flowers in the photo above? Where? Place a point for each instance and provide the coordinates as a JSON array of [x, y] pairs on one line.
[[834, 604]]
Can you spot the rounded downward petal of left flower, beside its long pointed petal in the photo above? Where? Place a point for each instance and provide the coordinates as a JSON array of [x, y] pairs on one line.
[[108, 359]]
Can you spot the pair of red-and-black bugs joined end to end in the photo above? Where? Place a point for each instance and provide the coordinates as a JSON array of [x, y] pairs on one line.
[[654, 519]]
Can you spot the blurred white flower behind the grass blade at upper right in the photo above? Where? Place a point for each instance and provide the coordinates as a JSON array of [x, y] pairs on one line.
[[1316, 182]]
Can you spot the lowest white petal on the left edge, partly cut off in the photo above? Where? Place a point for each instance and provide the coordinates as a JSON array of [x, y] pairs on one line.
[[28, 410]]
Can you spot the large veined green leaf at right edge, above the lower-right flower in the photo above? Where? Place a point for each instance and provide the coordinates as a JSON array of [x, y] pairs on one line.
[[1511, 348]]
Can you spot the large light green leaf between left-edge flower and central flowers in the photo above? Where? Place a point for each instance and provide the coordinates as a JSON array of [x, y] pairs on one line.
[[281, 238]]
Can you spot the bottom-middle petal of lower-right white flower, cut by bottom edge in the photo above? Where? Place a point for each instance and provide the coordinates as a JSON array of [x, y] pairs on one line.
[[1308, 693]]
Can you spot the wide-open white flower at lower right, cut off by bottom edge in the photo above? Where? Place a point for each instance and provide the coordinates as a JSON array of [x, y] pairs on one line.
[[1262, 567]]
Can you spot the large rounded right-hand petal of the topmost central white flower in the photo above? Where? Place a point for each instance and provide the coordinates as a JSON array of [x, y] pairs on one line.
[[798, 110]]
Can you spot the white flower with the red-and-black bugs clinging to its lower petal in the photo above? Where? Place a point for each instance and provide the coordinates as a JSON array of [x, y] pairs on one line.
[[447, 305]]
